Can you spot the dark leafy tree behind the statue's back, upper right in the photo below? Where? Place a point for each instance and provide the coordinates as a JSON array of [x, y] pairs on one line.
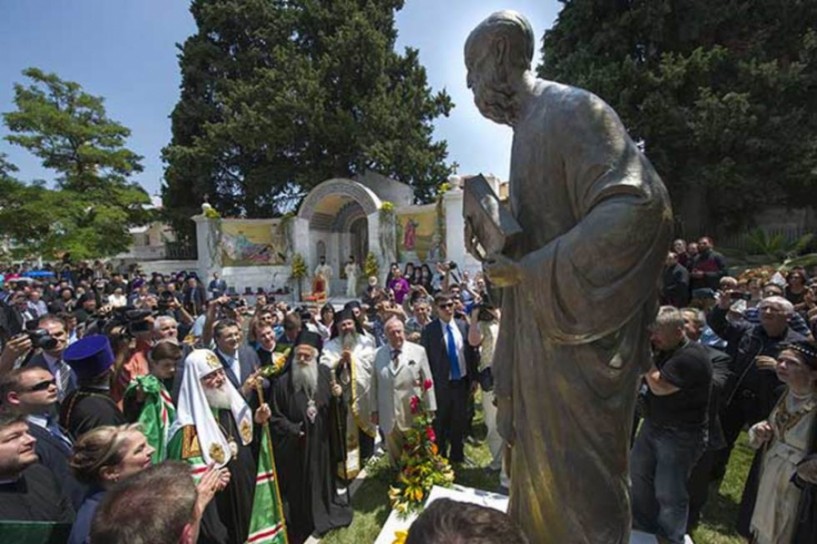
[[722, 94]]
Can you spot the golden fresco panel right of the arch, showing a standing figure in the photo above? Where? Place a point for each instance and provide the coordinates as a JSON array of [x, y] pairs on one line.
[[420, 235]]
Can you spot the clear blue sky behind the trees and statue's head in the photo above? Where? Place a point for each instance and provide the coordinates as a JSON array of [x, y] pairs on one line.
[[124, 51]]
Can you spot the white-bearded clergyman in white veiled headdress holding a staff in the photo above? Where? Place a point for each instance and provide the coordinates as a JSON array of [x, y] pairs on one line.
[[214, 425]]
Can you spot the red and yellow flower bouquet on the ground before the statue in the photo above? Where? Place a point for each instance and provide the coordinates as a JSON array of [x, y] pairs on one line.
[[420, 466]]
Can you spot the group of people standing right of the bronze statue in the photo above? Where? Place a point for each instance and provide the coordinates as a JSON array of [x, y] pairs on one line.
[[730, 354]]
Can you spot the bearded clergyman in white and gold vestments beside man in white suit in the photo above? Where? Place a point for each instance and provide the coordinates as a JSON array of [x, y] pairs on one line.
[[350, 355]]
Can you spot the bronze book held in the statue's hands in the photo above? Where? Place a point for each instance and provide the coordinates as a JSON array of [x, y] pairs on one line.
[[492, 224]]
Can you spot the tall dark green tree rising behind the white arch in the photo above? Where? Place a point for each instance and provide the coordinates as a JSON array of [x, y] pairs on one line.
[[278, 96]]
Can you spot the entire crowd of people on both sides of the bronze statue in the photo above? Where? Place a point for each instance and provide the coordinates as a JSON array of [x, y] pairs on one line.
[[110, 384]]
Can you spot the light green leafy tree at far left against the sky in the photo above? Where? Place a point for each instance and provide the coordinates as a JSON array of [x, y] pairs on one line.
[[93, 205]]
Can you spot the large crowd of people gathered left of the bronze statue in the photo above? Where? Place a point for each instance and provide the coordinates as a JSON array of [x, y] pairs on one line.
[[110, 383]]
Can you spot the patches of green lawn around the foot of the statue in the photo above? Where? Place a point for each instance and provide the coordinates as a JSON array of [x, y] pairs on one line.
[[371, 503]]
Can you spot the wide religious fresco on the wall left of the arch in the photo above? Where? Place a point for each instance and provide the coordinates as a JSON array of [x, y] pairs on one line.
[[251, 244]]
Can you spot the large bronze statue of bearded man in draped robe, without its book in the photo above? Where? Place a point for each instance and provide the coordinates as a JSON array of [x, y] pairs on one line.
[[579, 290]]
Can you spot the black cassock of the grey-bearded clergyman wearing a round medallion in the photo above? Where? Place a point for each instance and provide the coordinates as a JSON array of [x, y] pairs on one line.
[[306, 464]]
